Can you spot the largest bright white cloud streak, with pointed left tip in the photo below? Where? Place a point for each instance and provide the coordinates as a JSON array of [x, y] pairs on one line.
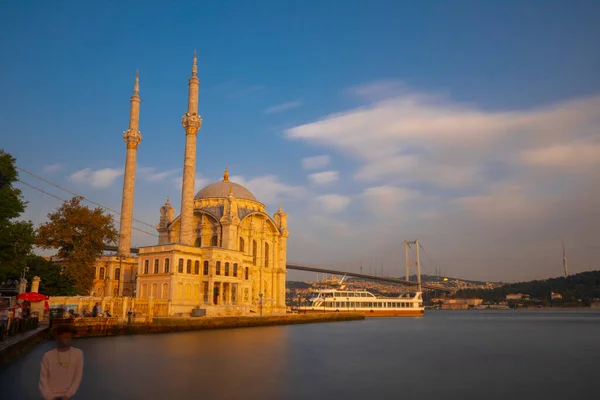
[[417, 137]]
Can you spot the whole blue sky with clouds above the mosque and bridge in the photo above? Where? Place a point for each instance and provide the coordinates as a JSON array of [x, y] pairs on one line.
[[471, 126]]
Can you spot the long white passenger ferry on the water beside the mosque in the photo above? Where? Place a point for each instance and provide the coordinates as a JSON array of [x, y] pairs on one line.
[[361, 301]]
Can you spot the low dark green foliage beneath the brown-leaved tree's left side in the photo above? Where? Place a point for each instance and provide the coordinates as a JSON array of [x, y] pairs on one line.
[[53, 281]]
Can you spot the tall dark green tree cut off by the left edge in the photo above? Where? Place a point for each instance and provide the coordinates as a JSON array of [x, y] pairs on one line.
[[16, 237]]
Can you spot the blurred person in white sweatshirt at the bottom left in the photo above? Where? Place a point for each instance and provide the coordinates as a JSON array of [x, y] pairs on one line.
[[61, 368]]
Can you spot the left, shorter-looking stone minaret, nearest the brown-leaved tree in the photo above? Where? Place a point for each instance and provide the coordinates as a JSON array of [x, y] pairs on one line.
[[132, 137]]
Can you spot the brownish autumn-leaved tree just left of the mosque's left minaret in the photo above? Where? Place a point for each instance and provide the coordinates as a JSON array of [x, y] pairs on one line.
[[79, 234]]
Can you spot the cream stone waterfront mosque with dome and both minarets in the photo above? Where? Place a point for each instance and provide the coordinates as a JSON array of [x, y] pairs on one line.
[[223, 254]]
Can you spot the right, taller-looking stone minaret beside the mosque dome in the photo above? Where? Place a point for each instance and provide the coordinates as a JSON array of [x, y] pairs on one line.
[[192, 122]]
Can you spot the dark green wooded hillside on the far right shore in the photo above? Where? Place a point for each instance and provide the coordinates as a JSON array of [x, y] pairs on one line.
[[584, 286]]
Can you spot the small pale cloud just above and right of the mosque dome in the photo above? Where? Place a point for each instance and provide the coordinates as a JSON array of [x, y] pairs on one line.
[[269, 189]]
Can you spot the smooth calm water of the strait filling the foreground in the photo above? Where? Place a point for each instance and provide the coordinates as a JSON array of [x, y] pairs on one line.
[[466, 355]]
